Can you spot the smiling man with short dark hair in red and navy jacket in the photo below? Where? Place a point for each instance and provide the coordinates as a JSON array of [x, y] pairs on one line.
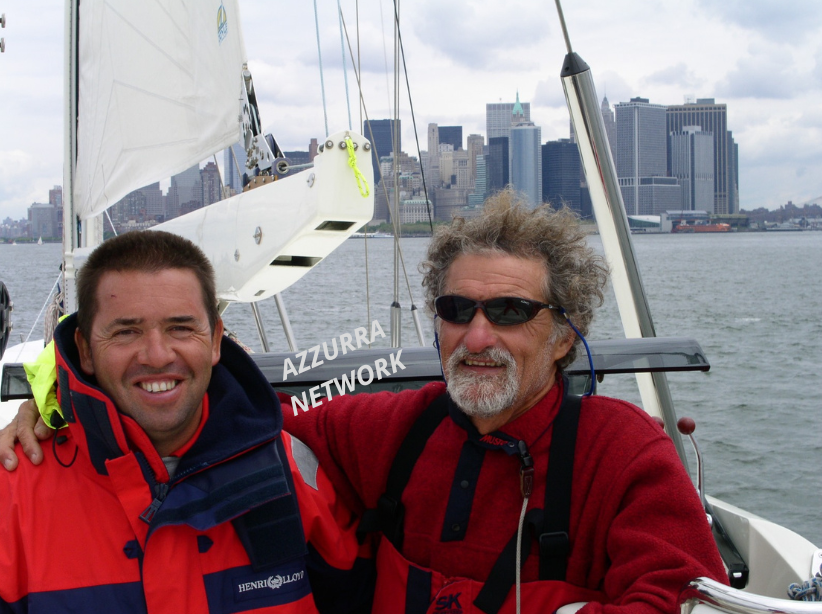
[[173, 489]]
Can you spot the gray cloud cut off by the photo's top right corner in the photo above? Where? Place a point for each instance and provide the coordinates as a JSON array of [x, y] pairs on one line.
[[777, 20]]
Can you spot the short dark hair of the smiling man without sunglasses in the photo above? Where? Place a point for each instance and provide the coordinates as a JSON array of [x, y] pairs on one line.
[[147, 251]]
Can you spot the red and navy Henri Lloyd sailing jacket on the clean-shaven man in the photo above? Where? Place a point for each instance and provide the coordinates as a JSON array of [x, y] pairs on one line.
[[248, 523]]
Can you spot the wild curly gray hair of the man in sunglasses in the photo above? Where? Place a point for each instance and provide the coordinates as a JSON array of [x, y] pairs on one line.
[[575, 276]]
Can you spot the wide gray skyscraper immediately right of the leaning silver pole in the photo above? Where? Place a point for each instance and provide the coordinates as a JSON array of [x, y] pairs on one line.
[[642, 166]]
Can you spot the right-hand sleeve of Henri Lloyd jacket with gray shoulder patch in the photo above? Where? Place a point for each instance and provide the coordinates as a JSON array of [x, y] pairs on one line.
[[341, 571]]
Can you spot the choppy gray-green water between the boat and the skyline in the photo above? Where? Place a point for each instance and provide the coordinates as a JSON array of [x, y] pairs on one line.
[[754, 301]]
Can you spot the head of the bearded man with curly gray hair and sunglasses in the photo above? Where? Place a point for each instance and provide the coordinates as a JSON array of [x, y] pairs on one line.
[[541, 253]]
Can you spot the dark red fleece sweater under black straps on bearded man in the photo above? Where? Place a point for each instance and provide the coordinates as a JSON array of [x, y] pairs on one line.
[[638, 531]]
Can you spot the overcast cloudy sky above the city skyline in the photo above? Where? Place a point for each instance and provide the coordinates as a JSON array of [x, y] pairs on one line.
[[763, 58]]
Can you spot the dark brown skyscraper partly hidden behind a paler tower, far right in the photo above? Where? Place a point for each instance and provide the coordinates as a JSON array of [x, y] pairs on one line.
[[713, 118]]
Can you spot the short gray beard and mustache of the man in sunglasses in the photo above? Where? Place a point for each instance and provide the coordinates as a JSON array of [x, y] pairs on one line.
[[478, 395]]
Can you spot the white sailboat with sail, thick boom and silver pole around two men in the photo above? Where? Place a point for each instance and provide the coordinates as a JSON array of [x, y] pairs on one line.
[[261, 253]]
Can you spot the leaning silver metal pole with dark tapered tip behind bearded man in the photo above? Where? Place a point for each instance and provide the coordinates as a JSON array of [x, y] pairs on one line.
[[612, 222]]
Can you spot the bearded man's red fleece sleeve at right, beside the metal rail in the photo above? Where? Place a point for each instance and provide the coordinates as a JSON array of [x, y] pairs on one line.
[[649, 522]]
